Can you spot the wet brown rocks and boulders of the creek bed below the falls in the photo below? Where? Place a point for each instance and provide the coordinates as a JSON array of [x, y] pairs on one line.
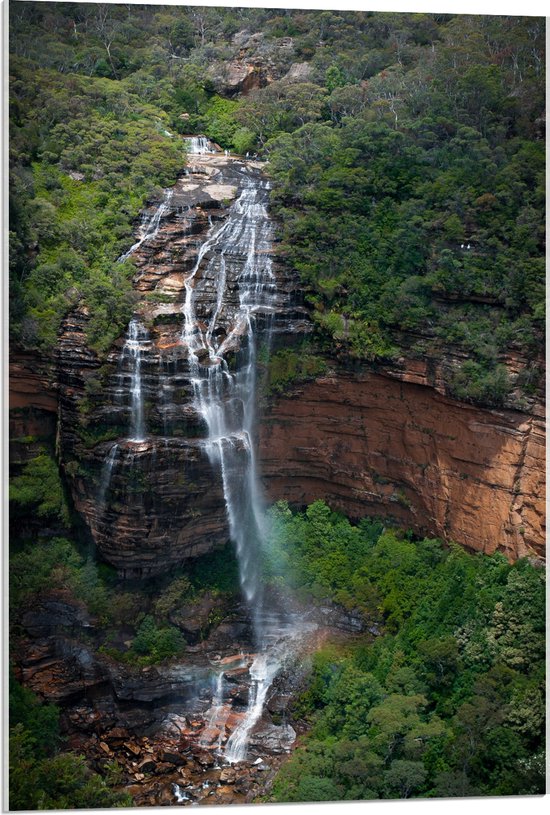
[[161, 725]]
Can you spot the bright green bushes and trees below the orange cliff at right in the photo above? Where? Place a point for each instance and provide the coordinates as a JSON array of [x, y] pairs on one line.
[[450, 700]]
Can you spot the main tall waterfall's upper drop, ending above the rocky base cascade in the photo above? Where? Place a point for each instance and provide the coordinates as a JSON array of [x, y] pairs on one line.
[[227, 400]]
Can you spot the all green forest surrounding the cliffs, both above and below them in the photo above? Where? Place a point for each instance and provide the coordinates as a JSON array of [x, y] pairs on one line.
[[406, 158]]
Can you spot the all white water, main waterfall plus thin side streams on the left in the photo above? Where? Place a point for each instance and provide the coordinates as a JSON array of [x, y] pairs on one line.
[[235, 261]]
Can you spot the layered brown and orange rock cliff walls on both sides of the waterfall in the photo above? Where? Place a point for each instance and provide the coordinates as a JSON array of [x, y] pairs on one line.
[[385, 442]]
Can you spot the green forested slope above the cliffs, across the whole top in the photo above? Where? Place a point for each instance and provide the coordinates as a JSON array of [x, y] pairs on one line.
[[406, 152]]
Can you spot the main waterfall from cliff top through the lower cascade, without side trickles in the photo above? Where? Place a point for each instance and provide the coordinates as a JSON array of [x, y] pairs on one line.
[[226, 400]]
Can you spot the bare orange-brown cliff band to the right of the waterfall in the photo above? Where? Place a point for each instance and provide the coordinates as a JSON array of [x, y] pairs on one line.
[[388, 444]]
